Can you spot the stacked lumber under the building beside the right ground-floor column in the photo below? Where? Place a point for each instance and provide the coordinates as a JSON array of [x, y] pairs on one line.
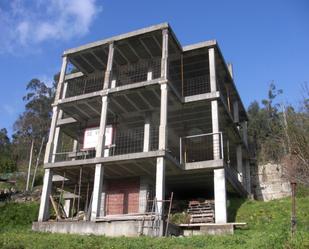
[[201, 211]]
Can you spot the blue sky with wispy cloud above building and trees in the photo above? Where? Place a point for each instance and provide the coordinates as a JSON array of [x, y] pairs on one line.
[[265, 40]]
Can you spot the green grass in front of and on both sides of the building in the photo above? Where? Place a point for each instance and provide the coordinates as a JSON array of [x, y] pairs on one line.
[[268, 227]]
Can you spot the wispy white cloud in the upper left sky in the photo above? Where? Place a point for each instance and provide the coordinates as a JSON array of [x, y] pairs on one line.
[[25, 23]]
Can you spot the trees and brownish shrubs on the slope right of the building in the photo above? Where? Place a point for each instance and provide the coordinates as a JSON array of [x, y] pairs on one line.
[[279, 133]]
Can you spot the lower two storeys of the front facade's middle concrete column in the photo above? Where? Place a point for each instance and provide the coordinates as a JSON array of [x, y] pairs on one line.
[[99, 168]]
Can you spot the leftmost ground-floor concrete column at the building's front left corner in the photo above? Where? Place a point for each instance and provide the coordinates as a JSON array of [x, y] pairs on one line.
[[46, 192]]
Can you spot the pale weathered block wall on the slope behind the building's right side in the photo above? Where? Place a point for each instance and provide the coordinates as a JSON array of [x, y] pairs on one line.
[[268, 182]]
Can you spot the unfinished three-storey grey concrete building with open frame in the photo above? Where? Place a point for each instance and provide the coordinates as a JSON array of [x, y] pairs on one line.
[[140, 117]]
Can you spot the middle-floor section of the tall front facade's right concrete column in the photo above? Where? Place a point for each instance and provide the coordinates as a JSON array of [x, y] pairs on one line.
[[163, 117]]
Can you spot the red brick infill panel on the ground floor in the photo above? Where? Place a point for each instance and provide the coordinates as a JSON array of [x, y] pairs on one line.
[[122, 196]]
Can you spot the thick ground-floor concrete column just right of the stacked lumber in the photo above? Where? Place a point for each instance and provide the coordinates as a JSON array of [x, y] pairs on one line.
[[220, 196]]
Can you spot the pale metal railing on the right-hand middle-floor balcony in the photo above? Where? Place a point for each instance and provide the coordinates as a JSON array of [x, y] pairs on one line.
[[201, 147]]
